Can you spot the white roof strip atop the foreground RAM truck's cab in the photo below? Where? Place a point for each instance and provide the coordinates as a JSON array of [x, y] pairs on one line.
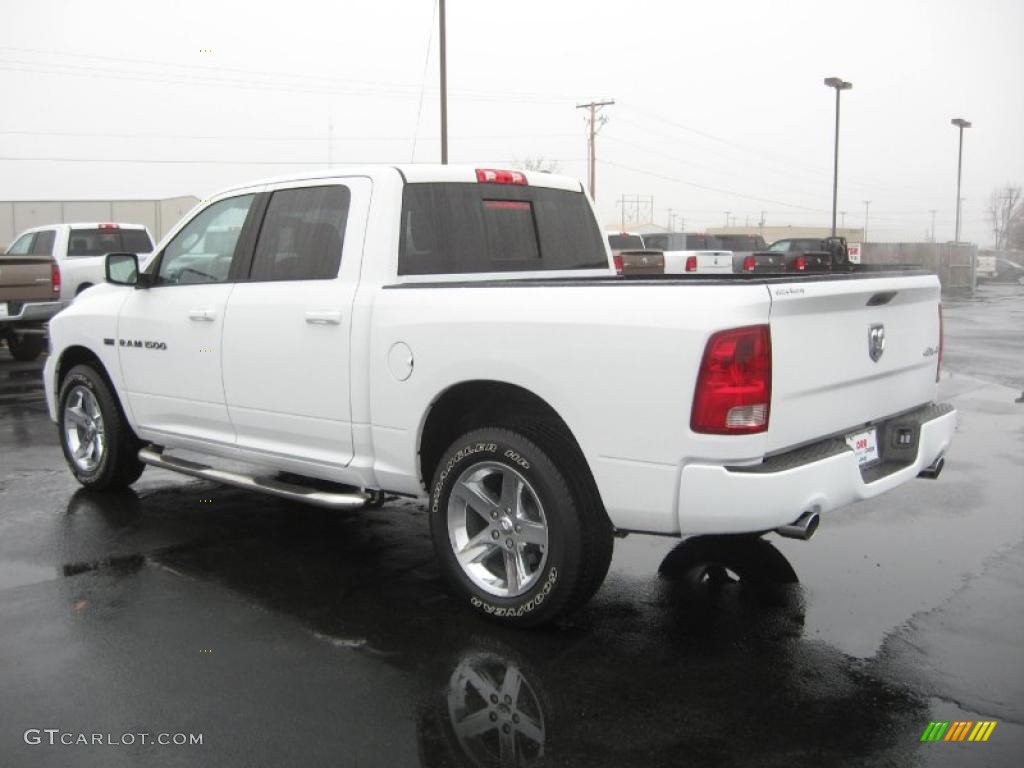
[[417, 174]]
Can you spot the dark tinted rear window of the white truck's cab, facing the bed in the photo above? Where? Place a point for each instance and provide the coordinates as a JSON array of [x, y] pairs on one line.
[[463, 229]]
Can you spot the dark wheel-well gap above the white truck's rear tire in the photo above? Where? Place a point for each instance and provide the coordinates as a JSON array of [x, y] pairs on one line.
[[472, 405]]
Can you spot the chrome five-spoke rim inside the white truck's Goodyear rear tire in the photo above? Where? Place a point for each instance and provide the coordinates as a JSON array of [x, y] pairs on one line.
[[497, 530]]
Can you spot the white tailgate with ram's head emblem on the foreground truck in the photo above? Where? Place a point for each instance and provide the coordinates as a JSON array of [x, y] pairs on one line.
[[829, 373]]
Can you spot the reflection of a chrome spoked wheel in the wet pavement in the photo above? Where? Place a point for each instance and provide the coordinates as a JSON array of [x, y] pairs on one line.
[[495, 713]]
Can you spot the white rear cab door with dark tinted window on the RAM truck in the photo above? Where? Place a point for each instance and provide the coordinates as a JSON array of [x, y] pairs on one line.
[[287, 332]]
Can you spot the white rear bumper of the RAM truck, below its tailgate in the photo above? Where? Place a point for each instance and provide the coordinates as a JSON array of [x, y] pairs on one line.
[[821, 478]]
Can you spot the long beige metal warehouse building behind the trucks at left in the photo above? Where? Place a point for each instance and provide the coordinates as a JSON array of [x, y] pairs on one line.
[[158, 216]]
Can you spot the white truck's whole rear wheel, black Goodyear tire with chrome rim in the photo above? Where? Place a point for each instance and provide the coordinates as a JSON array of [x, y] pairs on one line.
[[516, 536]]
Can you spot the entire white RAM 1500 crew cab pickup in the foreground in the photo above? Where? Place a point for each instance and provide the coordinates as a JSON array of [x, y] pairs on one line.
[[459, 335]]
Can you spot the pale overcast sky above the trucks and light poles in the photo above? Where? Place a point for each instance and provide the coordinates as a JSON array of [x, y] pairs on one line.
[[719, 106]]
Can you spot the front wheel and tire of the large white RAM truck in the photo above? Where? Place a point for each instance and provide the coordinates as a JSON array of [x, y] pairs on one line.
[[99, 446]]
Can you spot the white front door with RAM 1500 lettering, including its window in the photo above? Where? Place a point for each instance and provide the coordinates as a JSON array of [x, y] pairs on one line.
[[169, 335]]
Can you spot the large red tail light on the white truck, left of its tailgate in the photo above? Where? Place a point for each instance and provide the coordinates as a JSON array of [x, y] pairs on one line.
[[734, 392]]
